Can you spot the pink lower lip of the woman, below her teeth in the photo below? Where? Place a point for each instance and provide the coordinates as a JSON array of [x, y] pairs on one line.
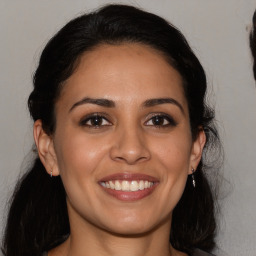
[[130, 196]]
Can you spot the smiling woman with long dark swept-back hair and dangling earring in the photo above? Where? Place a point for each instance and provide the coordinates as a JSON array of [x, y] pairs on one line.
[[120, 125]]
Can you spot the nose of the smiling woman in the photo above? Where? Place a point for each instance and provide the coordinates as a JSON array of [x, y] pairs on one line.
[[130, 146]]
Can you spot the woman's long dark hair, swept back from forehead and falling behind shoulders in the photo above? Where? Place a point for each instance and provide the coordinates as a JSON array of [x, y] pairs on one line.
[[38, 218]]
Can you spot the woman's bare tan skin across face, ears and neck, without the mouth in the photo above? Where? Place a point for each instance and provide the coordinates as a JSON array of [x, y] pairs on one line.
[[126, 141]]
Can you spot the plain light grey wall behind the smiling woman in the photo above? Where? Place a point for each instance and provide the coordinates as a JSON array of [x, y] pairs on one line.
[[218, 33]]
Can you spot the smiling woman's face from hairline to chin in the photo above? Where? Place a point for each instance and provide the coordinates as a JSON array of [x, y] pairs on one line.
[[123, 145]]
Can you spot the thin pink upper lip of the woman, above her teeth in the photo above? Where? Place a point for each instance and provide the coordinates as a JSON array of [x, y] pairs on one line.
[[129, 177]]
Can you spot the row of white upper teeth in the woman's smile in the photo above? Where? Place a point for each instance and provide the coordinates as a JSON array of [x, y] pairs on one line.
[[126, 185]]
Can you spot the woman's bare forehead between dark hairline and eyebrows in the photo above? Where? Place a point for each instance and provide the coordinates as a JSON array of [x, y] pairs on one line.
[[127, 71]]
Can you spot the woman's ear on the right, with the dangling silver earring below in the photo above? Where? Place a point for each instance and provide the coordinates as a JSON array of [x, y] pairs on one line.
[[197, 150]]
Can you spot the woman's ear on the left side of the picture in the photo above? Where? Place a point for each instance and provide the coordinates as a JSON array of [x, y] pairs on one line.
[[45, 148]]
